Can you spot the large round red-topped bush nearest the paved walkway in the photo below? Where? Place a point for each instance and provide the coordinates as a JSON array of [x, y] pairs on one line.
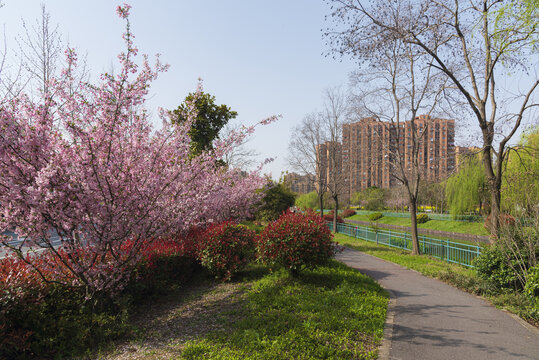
[[296, 241]]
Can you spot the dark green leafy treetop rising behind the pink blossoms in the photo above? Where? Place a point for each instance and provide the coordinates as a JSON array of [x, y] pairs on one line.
[[209, 121]]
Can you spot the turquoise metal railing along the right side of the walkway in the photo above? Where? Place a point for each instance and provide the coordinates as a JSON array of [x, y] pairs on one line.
[[449, 251]]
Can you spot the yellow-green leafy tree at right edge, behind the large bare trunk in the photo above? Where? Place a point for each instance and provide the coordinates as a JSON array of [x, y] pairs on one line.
[[520, 189]]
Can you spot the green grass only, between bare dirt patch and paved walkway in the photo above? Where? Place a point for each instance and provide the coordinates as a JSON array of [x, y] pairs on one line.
[[332, 312]]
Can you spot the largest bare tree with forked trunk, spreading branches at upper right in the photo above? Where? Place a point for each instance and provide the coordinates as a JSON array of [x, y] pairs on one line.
[[474, 43]]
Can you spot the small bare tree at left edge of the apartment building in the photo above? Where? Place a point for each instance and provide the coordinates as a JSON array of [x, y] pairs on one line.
[[303, 152]]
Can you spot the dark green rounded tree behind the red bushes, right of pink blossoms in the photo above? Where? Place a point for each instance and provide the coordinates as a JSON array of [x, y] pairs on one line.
[[277, 198]]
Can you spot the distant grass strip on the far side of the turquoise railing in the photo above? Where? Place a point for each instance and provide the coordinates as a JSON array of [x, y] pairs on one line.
[[462, 227]]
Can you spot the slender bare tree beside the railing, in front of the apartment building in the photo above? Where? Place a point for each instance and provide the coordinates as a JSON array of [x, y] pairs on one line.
[[395, 87]]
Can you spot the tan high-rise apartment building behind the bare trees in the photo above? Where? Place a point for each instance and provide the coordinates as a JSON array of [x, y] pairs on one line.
[[369, 151]]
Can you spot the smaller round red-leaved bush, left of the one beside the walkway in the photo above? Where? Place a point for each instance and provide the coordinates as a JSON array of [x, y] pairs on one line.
[[226, 248]]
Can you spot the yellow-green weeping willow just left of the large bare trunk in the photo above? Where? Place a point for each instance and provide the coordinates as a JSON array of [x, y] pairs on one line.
[[468, 188]]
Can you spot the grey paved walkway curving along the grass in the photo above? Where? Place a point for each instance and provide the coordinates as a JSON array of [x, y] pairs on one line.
[[432, 320]]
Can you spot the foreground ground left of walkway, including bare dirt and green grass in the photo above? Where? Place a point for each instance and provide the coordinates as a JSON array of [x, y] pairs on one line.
[[331, 312]]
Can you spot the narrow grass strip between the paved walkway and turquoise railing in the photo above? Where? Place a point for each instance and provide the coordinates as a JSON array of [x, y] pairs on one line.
[[461, 277]]
